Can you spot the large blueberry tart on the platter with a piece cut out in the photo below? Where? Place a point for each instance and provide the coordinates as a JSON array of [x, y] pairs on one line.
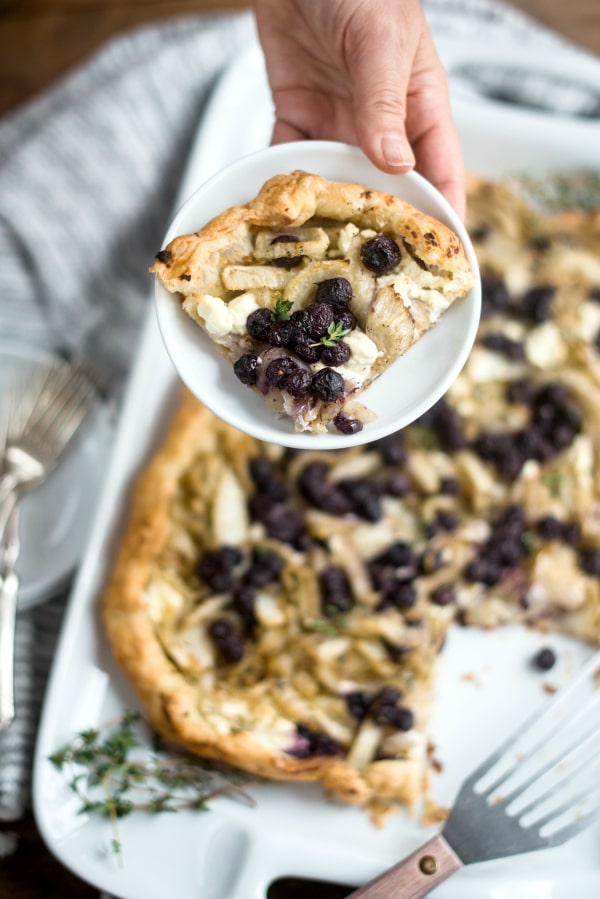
[[283, 611]]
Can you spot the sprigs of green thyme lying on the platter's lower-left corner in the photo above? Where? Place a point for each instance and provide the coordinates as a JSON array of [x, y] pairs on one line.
[[115, 770]]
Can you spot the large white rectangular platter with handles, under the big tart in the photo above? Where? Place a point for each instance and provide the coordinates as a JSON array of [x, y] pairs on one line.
[[488, 686]]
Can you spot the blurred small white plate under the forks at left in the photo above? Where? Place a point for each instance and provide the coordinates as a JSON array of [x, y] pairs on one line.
[[54, 518]]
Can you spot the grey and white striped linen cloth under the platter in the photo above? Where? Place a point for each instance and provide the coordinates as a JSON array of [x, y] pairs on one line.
[[91, 165]]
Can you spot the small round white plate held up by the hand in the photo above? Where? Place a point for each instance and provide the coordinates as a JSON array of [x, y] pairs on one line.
[[405, 391]]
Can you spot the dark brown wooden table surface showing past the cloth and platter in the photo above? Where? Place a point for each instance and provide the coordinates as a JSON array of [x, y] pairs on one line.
[[40, 40]]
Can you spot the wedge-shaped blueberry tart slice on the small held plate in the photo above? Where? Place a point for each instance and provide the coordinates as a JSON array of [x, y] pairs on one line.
[[313, 288]]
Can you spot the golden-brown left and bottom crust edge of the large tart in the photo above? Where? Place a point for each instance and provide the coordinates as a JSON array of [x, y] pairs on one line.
[[169, 702]]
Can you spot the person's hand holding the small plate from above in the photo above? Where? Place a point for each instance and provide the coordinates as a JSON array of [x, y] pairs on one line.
[[365, 72]]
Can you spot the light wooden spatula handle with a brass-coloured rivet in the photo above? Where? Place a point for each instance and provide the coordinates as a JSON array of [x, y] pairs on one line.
[[414, 876]]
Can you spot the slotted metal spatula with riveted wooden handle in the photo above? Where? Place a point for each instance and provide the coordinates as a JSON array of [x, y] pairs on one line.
[[537, 790]]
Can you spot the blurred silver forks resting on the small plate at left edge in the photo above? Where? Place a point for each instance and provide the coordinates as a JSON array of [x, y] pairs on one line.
[[40, 417]]
